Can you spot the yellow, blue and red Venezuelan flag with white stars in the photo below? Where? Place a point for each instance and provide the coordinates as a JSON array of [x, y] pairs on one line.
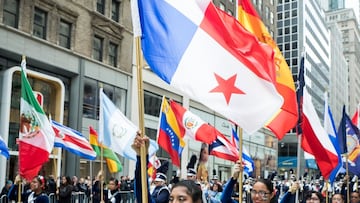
[[170, 133]]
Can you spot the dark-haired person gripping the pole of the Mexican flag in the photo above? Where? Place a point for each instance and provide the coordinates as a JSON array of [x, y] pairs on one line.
[[35, 195]]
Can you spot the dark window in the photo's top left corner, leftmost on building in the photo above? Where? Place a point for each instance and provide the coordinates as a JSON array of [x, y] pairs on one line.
[[11, 13]]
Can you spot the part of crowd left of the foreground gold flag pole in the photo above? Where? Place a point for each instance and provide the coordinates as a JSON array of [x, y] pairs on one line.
[[40, 189]]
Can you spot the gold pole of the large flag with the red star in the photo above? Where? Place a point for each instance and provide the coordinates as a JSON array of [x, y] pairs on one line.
[[141, 119]]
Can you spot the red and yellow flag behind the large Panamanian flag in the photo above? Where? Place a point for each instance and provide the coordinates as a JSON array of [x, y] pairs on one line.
[[287, 117]]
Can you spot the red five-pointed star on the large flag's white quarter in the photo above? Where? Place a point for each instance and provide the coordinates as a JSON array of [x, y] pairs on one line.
[[227, 87]]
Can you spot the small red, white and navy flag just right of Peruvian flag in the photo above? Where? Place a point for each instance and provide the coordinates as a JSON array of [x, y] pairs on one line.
[[222, 148]]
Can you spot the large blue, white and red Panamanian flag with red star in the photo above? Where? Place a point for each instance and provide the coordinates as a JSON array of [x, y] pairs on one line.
[[205, 53]]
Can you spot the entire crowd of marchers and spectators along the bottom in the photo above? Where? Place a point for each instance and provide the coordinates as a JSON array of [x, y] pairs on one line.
[[197, 187]]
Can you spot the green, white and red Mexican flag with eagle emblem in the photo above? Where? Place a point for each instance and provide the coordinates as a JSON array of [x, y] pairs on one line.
[[36, 136]]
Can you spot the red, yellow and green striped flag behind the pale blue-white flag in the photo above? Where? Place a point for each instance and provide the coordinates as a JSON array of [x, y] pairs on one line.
[[112, 160]]
